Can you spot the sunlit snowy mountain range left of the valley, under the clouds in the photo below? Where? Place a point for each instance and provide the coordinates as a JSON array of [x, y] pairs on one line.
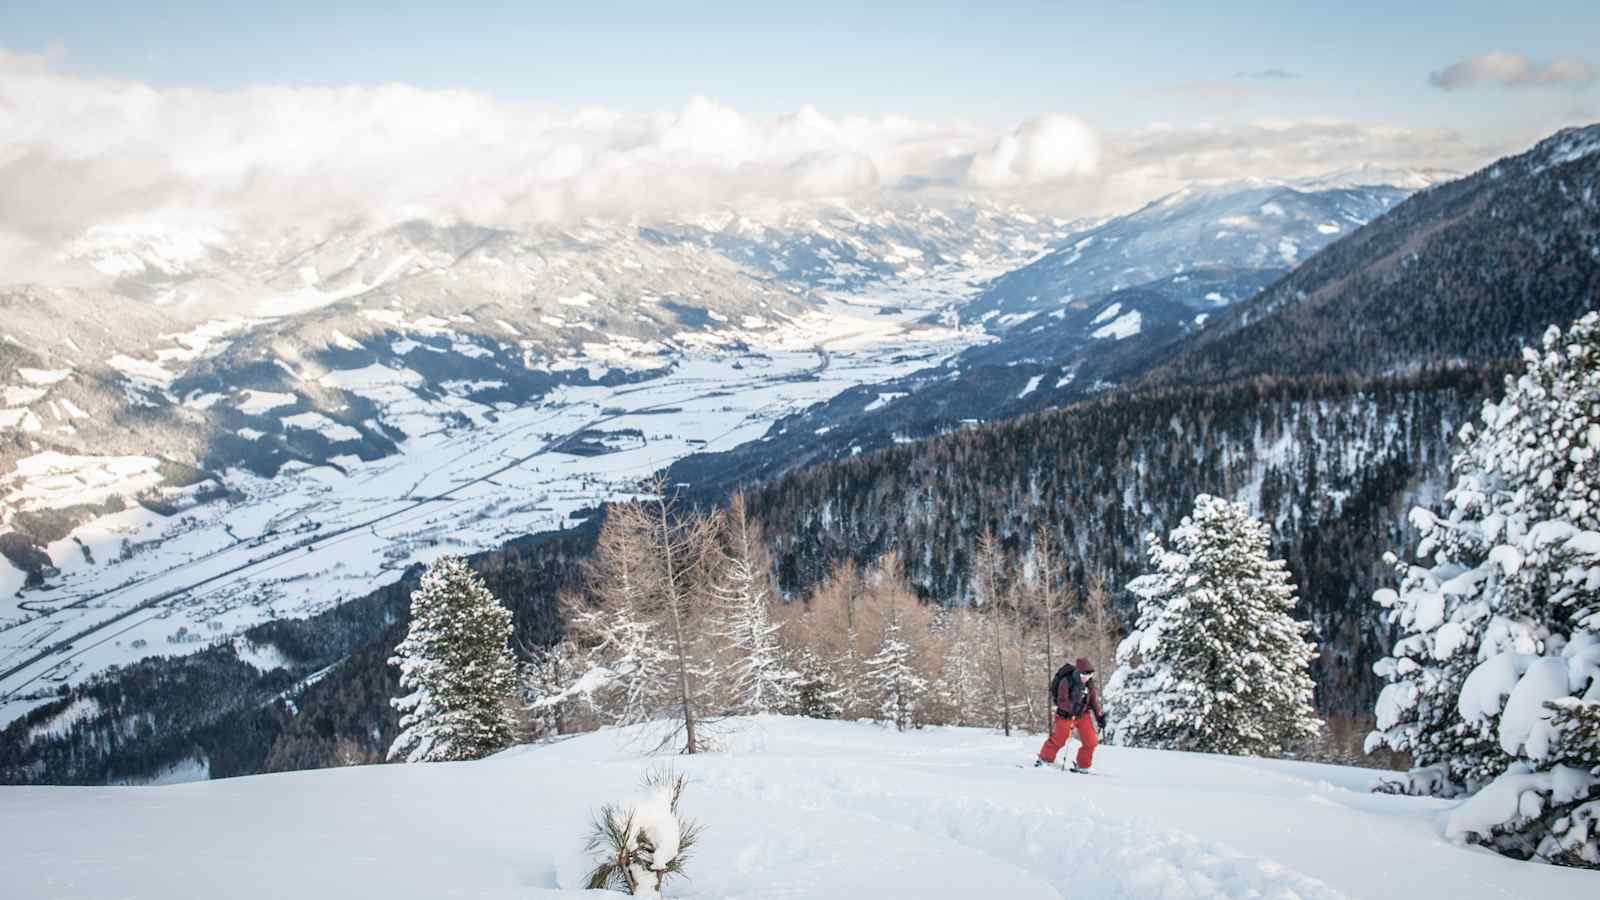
[[204, 352]]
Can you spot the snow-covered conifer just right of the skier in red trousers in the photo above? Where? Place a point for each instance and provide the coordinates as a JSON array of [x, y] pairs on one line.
[[1217, 664]]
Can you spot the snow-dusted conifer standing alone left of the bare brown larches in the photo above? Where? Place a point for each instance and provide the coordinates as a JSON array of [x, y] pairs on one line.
[[457, 669]]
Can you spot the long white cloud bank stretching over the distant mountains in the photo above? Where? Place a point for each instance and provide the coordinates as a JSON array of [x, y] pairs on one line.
[[84, 151]]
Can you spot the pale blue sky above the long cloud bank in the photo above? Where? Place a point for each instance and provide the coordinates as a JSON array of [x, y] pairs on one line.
[[1116, 65]]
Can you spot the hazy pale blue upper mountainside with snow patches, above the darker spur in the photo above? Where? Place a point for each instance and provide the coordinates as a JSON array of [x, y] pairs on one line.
[[1252, 227]]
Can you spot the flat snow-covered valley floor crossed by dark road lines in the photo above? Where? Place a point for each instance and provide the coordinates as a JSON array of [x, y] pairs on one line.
[[470, 478]]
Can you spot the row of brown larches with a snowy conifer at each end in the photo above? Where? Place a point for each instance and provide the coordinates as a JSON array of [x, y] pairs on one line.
[[678, 625]]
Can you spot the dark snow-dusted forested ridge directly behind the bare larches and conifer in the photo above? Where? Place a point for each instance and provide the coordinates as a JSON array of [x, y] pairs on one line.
[[1330, 465]]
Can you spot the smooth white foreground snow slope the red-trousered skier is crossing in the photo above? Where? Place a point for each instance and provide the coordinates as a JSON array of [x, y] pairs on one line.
[[791, 808]]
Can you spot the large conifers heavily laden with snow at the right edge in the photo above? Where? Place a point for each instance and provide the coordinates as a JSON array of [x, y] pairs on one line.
[[1495, 681]]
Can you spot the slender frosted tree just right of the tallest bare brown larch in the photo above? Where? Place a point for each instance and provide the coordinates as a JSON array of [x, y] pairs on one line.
[[761, 680]]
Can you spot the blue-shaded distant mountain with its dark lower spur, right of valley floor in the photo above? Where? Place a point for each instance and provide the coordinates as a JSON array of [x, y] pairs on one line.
[[1110, 303]]
